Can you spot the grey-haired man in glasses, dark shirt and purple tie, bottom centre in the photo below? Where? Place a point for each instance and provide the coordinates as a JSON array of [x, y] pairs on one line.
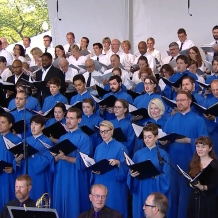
[[98, 197]]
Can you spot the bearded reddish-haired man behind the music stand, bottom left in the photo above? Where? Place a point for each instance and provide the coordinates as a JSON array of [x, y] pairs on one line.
[[23, 187]]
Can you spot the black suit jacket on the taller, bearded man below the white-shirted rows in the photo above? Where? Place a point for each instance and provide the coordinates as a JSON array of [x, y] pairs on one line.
[[53, 72]]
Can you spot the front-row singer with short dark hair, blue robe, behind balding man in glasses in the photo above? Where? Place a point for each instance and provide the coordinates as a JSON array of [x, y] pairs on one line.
[[141, 189]]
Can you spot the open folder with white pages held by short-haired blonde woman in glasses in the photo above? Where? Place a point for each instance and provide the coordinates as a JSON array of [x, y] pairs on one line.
[[101, 166]]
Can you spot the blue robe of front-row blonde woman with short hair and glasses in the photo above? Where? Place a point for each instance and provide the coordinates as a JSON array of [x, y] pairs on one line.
[[114, 180]]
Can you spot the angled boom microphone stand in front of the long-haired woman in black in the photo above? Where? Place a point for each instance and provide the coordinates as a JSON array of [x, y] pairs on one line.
[[197, 190]]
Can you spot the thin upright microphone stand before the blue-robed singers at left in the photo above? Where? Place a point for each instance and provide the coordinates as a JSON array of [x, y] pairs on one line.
[[25, 145]]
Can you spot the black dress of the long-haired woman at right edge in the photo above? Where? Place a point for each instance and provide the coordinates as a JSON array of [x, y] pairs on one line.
[[207, 200]]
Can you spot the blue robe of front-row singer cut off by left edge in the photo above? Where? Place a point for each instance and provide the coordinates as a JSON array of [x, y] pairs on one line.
[[7, 180]]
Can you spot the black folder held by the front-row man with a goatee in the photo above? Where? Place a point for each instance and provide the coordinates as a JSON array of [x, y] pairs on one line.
[[65, 146]]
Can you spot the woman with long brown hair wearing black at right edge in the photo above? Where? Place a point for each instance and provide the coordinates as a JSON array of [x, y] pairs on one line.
[[205, 205]]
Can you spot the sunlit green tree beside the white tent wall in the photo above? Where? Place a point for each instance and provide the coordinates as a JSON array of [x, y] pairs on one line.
[[21, 18]]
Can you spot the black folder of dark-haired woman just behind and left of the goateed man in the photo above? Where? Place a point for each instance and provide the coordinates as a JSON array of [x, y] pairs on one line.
[[56, 130]]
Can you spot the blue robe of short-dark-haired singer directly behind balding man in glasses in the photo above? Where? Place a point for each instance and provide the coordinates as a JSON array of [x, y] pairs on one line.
[[141, 189]]
